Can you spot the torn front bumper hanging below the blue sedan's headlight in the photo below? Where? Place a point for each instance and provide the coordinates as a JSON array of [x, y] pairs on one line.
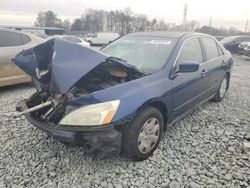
[[99, 141]]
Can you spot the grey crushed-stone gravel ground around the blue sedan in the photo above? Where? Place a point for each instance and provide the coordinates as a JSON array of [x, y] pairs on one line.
[[208, 148]]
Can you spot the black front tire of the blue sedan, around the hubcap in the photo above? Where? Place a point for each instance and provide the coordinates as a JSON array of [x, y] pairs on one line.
[[131, 133]]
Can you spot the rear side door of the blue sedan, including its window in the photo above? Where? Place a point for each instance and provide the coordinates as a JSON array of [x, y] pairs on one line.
[[215, 61]]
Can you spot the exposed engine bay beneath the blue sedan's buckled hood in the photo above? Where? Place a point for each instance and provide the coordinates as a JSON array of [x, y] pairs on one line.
[[105, 75]]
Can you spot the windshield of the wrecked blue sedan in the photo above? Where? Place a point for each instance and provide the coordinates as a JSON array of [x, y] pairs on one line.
[[147, 54]]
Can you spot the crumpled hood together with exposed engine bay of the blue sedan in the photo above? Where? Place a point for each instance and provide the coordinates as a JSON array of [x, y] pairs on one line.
[[61, 76]]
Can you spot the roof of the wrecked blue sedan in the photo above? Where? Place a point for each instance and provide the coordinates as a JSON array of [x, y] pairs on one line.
[[166, 34]]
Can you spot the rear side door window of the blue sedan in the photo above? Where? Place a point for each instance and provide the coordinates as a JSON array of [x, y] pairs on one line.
[[211, 48]]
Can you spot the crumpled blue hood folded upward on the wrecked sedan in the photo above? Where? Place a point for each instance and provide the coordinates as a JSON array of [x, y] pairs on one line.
[[59, 64]]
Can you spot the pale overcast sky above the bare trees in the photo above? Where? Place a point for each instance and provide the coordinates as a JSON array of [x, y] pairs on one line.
[[223, 12]]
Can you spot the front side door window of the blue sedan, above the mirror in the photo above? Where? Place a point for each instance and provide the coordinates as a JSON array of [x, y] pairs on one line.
[[191, 51]]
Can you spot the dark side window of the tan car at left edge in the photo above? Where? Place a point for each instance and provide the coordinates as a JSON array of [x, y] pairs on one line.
[[10, 39]]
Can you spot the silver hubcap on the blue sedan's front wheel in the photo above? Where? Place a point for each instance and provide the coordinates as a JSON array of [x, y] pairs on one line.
[[149, 135]]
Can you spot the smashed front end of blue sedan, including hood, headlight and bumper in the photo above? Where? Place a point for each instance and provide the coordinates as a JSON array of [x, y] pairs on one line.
[[64, 72]]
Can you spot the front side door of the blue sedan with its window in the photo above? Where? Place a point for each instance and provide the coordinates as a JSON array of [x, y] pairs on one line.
[[189, 89]]
